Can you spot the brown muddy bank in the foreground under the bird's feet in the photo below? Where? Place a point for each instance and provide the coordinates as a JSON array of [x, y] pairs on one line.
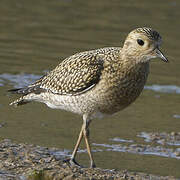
[[30, 162]]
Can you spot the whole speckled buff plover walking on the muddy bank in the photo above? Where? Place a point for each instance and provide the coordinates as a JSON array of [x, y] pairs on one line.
[[97, 83]]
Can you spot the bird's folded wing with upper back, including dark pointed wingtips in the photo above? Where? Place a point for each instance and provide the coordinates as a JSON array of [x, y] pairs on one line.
[[75, 75]]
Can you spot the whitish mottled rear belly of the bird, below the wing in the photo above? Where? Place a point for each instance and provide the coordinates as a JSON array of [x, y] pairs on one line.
[[80, 104]]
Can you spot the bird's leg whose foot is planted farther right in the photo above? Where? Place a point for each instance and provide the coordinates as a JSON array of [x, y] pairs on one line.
[[86, 123]]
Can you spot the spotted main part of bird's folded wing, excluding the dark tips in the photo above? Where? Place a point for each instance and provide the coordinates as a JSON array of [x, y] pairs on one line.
[[74, 75]]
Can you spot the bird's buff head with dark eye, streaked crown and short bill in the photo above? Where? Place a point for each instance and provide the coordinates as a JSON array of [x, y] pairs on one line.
[[143, 44]]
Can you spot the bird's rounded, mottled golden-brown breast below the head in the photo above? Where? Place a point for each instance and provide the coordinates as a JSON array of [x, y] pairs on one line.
[[121, 87]]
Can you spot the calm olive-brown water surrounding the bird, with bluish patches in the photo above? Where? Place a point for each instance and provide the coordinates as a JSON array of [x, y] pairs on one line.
[[36, 36]]
